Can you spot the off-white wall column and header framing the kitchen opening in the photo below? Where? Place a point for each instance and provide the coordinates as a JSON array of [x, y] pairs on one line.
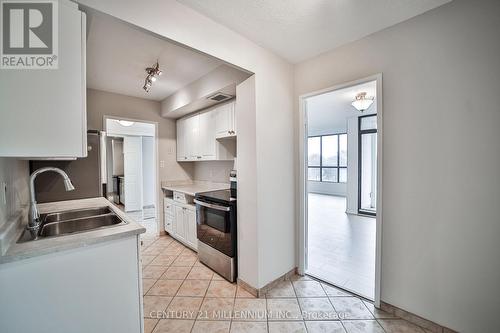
[[274, 196]]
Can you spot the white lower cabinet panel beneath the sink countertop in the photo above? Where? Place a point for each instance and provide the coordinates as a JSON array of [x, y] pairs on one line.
[[89, 285]]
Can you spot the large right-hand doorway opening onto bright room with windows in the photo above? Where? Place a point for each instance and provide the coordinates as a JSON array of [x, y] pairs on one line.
[[339, 226]]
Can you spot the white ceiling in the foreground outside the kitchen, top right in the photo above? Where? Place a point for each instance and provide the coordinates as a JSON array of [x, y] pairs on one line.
[[299, 29]]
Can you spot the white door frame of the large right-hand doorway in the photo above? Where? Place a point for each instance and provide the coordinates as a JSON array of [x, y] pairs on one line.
[[303, 204]]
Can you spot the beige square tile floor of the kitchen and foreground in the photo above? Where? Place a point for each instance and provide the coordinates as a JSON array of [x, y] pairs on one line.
[[182, 295]]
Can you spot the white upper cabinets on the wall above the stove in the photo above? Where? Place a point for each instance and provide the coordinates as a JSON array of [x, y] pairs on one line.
[[197, 135]]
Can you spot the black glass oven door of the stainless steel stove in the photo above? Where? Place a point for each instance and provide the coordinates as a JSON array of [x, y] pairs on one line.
[[215, 226]]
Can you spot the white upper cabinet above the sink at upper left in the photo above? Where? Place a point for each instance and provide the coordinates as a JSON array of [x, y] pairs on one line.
[[43, 111]]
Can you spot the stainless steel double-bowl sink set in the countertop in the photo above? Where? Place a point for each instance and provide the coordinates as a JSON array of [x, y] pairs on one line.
[[74, 221]]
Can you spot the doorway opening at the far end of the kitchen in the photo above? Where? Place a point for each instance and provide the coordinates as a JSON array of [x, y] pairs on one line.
[[131, 156]]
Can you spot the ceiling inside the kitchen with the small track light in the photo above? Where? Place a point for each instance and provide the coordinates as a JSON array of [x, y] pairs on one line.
[[117, 55]]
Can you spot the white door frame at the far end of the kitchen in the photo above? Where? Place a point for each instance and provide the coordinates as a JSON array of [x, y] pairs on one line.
[[158, 194]]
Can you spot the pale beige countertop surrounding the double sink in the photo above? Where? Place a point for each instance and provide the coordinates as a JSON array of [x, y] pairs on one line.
[[20, 251]]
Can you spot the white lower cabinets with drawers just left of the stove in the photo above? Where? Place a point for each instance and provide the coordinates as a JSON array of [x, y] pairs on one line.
[[180, 222]]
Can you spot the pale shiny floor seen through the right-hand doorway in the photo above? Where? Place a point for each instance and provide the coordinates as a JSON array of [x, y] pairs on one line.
[[341, 247]]
